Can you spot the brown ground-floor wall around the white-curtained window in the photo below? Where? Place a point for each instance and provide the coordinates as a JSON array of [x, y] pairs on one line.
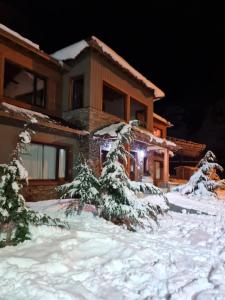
[[38, 189]]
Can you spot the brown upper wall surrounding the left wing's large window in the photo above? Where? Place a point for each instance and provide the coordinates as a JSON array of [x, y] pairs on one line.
[[35, 64]]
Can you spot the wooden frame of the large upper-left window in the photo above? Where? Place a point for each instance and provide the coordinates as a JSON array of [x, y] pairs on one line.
[[36, 76]]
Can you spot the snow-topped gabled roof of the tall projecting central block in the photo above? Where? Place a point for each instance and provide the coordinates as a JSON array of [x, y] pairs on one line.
[[72, 51]]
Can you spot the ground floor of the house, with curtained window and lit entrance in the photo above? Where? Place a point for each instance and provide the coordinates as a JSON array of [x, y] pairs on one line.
[[54, 150]]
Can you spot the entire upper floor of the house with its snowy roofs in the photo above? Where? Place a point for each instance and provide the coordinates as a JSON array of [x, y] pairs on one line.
[[87, 83]]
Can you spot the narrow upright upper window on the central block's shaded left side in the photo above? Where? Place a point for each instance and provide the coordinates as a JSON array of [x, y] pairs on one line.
[[78, 92]]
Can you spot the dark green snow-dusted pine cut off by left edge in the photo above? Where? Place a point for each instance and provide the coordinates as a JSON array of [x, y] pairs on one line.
[[15, 218]]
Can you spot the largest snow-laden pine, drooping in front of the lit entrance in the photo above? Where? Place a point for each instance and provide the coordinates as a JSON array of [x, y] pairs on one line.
[[119, 202]]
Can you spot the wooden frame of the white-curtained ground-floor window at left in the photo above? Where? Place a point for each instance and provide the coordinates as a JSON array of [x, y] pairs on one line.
[[57, 178]]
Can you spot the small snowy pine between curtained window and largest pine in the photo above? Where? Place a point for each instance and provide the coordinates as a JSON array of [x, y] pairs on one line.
[[84, 187]]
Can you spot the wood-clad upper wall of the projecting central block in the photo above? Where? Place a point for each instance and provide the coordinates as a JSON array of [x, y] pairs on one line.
[[97, 70]]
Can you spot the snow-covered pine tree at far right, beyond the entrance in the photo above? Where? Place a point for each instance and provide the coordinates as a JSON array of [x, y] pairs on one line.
[[202, 182]]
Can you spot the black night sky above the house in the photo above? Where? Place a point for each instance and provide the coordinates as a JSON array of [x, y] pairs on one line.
[[179, 45]]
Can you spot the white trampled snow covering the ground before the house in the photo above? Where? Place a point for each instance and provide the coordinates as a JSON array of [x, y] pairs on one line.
[[182, 259]]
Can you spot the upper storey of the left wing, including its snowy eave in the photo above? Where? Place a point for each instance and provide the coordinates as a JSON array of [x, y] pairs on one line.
[[29, 78]]
